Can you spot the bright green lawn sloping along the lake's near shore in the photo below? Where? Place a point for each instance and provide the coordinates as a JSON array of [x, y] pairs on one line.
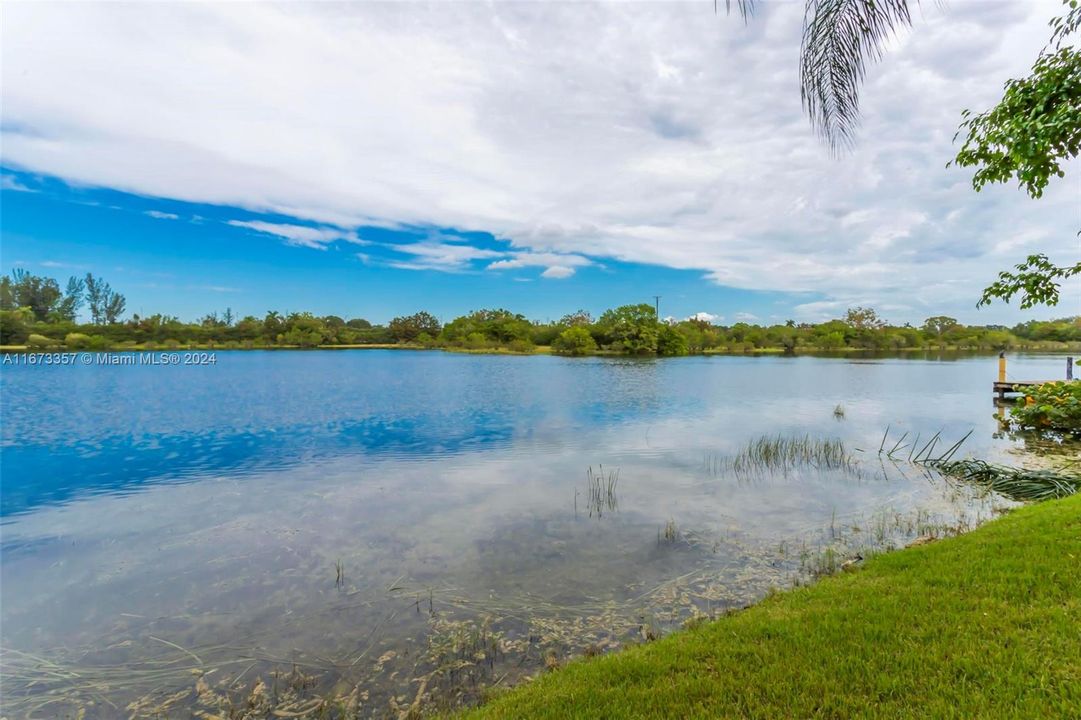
[[985, 625]]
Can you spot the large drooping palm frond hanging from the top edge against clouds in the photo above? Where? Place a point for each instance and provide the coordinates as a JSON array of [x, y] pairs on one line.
[[840, 38]]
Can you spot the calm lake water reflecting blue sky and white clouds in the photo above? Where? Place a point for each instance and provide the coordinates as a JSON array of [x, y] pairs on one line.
[[376, 517]]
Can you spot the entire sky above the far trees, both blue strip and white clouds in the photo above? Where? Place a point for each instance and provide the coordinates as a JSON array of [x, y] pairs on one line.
[[375, 159]]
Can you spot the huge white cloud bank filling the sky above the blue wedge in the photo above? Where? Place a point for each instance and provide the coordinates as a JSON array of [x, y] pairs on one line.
[[645, 132]]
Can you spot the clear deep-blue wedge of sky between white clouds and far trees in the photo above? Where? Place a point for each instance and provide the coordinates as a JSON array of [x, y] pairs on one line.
[[192, 259]]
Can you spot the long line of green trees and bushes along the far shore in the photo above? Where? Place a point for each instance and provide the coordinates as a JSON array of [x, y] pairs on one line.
[[36, 313]]
